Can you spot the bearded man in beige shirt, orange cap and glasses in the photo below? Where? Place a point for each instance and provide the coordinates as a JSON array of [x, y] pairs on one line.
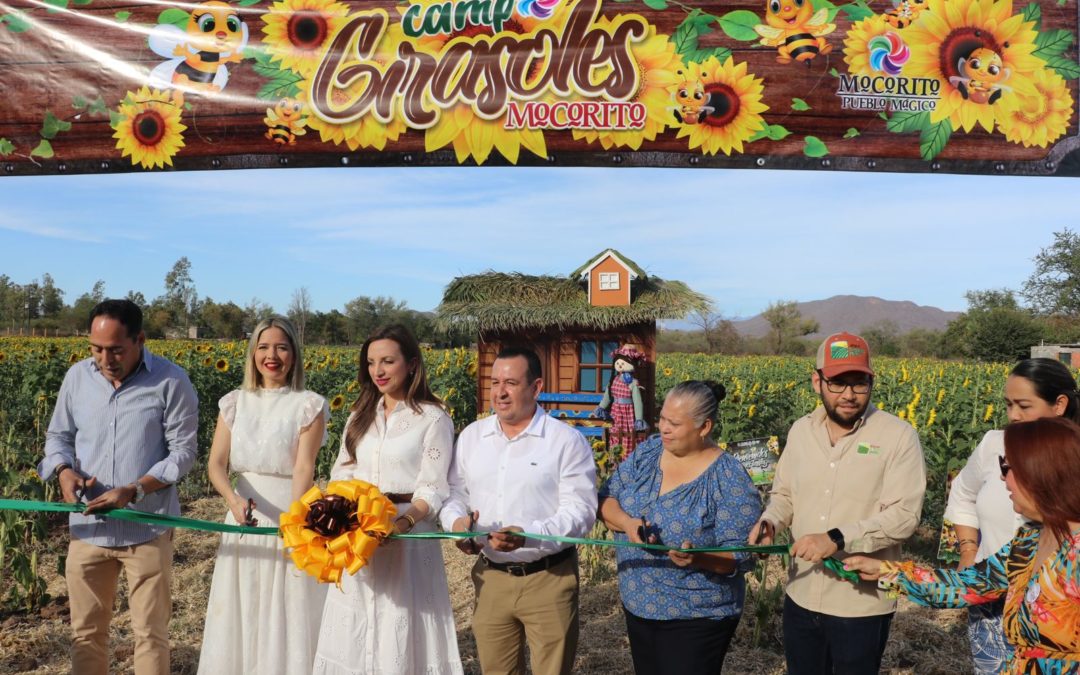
[[852, 480]]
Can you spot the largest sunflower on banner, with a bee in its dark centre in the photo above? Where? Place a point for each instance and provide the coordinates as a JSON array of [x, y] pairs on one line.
[[949, 32]]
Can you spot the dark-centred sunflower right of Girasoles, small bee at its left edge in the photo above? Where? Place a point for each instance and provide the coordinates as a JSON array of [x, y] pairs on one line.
[[736, 97]]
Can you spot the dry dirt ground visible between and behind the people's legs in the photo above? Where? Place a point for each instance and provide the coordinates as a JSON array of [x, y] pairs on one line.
[[923, 642]]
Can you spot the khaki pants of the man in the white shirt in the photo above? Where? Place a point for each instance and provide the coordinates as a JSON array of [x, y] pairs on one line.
[[542, 609]]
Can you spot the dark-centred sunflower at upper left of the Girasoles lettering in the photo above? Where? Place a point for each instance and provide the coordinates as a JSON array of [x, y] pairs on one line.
[[298, 31]]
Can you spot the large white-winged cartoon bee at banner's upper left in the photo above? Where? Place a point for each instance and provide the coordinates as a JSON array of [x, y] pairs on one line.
[[215, 36]]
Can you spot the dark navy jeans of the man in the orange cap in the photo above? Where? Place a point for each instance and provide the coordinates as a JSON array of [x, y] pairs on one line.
[[817, 644]]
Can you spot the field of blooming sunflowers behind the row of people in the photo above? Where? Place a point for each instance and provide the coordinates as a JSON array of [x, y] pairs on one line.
[[951, 404]]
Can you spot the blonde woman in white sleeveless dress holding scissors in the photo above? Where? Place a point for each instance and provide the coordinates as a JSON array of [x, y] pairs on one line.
[[263, 616]]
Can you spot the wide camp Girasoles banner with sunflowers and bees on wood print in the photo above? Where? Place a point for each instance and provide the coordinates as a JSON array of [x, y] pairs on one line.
[[952, 86]]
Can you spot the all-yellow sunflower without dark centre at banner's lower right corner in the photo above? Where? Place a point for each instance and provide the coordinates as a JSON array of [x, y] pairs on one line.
[[1043, 118]]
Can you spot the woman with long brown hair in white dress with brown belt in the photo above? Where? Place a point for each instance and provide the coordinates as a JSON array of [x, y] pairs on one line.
[[394, 616]]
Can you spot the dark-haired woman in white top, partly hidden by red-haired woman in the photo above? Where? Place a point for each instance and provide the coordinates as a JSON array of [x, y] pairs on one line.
[[979, 505]]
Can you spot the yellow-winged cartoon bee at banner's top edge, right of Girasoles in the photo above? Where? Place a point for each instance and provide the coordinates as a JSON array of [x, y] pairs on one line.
[[796, 35]]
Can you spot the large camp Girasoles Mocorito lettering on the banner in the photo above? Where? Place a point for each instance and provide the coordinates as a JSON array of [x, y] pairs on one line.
[[485, 72]]
